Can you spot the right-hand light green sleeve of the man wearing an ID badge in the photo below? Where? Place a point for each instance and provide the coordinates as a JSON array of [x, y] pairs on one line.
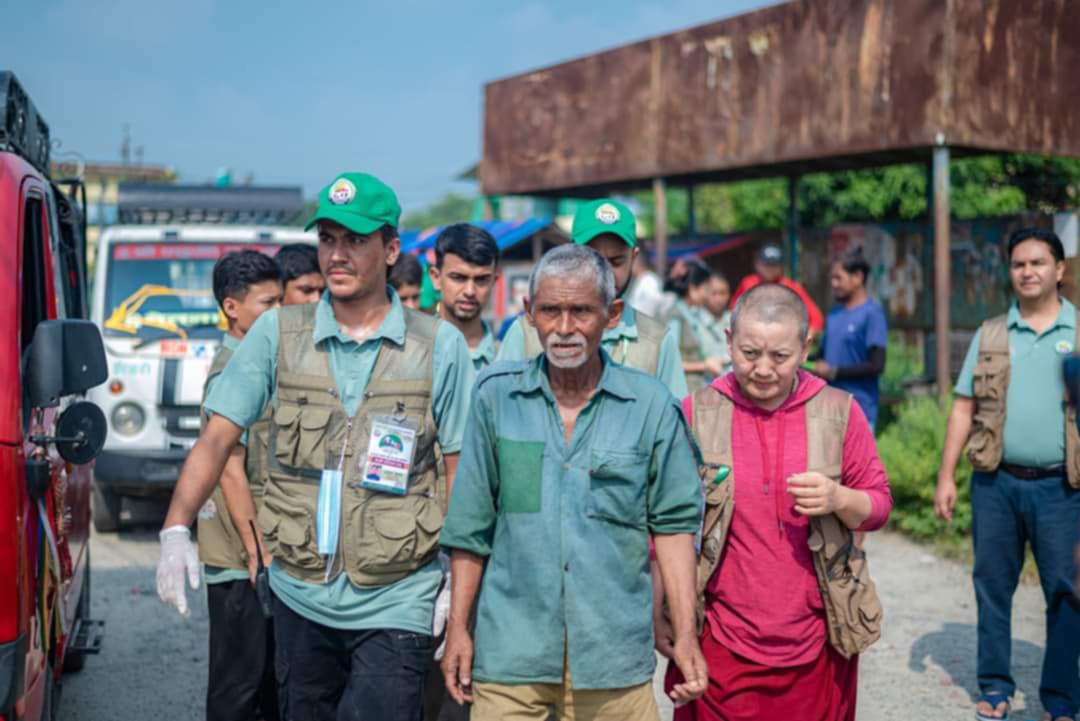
[[453, 378]]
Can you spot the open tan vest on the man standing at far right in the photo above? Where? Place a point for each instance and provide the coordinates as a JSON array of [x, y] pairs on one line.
[[991, 382]]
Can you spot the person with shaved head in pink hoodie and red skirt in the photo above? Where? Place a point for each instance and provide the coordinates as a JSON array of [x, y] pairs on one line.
[[766, 635]]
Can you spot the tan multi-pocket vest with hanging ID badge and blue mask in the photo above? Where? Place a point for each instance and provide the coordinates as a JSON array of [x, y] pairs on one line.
[[384, 538]]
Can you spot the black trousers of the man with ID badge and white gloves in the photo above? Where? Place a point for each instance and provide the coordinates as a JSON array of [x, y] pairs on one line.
[[328, 674]]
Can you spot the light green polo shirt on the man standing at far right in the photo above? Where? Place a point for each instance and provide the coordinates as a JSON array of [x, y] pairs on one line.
[[1035, 404]]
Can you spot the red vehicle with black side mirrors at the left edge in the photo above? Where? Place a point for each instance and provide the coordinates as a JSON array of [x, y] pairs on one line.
[[50, 357]]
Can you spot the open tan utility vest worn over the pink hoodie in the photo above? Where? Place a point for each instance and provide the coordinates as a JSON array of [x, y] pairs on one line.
[[853, 609]]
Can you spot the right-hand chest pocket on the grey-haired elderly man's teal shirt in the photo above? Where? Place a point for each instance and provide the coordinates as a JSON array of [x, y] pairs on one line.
[[617, 482]]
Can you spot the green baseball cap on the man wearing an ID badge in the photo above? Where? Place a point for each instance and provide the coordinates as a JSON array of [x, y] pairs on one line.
[[360, 202]]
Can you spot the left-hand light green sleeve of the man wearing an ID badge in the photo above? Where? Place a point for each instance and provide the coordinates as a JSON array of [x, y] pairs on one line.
[[248, 383]]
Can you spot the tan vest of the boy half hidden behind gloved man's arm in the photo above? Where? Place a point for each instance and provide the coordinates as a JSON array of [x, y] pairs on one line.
[[220, 545]]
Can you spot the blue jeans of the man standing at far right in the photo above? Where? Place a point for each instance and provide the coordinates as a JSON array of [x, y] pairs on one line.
[[1008, 513]]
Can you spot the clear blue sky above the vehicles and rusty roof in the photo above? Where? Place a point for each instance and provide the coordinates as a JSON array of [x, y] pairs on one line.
[[296, 92]]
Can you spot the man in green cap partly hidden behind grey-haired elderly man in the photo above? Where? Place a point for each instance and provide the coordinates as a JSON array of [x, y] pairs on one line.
[[638, 342]]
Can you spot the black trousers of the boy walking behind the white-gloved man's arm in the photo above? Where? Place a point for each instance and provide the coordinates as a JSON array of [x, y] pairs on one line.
[[241, 685]]
